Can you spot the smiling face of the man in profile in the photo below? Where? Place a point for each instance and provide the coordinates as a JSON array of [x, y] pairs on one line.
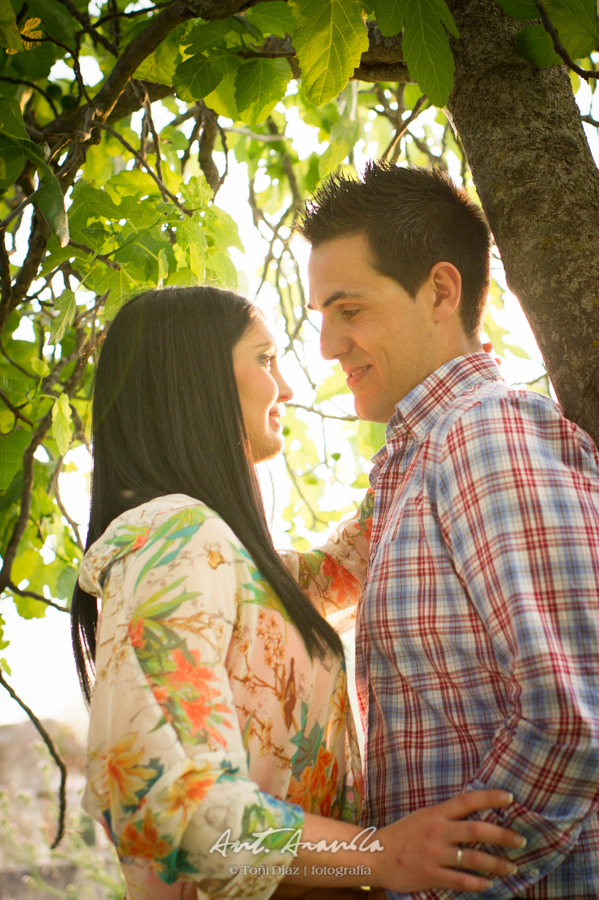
[[379, 333]]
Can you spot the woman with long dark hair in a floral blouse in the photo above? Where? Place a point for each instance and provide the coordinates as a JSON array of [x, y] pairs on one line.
[[220, 694]]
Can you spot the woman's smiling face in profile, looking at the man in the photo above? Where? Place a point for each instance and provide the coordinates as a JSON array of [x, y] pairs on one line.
[[262, 390]]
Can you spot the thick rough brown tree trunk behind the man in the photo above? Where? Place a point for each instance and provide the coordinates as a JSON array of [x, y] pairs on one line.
[[539, 187]]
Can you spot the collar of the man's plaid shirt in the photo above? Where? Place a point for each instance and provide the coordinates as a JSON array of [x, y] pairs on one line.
[[419, 411]]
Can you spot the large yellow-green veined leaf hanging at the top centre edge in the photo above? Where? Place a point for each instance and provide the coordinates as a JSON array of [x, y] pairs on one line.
[[329, 38]]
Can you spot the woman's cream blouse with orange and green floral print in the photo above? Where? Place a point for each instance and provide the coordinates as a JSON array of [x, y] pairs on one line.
[[209, 722]]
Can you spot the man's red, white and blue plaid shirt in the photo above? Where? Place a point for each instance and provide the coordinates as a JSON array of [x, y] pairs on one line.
[[478, 632]]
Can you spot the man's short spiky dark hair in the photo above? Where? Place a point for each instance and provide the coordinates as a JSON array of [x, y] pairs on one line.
[[412, 219]]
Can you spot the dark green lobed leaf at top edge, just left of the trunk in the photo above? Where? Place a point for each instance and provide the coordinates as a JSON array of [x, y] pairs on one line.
[[425, 45]]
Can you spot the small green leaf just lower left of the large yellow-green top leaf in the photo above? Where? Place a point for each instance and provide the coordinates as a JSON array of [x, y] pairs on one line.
[[259, 85]]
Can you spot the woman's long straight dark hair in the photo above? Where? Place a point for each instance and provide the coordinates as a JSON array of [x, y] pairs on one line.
[[167, 420]]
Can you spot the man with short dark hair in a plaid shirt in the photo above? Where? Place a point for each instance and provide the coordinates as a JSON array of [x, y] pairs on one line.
[[478, 630]]
